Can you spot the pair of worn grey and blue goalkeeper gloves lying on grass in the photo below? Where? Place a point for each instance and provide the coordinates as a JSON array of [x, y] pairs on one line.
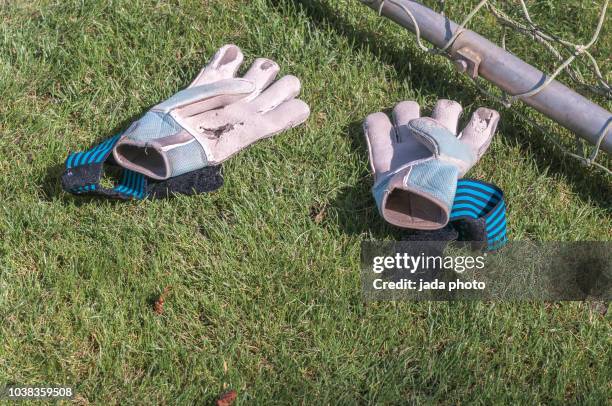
[[177, 148]]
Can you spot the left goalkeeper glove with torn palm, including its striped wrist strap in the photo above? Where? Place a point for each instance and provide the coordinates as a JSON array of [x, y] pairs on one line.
[[178, 145]]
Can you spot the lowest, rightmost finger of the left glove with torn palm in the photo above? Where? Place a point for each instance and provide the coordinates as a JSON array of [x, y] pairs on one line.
[[287, 115]]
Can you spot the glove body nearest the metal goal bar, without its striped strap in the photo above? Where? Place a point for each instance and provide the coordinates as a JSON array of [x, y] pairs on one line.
[[417, 161]]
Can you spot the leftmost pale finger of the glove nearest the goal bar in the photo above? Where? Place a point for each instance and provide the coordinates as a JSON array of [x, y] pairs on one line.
[[380, 137]]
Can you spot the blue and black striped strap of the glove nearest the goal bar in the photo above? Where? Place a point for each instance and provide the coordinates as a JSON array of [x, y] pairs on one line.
[[479, 213]]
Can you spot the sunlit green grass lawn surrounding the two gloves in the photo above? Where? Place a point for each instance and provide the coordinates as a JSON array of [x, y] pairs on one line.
[[264, 299]]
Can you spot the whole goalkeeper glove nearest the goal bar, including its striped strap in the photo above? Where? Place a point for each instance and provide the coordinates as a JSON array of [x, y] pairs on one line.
[[418, 165]]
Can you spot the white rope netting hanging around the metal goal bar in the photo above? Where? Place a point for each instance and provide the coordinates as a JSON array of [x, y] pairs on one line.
[[553, 43]]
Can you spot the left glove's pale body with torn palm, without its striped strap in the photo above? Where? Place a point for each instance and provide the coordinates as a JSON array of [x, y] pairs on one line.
[[214, 118]]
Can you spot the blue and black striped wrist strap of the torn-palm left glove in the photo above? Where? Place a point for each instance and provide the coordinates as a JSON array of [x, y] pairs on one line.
[[84, 171]]
